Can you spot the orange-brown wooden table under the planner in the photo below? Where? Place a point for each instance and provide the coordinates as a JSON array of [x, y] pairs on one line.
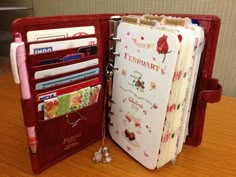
[[215, 157]]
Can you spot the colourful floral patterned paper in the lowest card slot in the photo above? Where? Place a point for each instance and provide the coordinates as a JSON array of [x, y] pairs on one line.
[[69, 102]]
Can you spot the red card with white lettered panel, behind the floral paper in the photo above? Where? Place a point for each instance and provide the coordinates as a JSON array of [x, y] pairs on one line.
[[60, 91]]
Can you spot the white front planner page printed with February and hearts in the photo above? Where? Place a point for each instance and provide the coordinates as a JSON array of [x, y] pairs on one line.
[[142, 82]]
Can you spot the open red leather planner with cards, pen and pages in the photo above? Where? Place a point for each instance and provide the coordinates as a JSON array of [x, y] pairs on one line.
[[146, 78]]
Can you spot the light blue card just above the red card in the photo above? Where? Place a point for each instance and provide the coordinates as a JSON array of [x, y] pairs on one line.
[[66, 79]]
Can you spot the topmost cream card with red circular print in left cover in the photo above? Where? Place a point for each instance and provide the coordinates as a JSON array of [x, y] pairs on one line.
[[40, 35]]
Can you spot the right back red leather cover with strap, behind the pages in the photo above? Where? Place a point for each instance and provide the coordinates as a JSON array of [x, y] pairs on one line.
[[208, 90]]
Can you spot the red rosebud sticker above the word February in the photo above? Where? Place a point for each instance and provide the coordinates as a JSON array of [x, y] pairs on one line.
[[162, 46]]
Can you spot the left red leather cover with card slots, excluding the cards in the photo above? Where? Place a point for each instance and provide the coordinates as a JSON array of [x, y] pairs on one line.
[[56, 139]]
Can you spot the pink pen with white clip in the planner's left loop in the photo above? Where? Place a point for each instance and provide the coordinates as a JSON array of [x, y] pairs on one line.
[[24, 84]]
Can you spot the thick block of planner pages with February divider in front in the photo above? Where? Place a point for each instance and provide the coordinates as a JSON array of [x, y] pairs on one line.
[[150, 86]]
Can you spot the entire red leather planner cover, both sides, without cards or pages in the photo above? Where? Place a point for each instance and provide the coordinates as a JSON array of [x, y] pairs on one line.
[[52, 133]]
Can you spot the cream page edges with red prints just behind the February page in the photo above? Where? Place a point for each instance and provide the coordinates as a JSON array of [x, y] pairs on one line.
[[177, 97]]
